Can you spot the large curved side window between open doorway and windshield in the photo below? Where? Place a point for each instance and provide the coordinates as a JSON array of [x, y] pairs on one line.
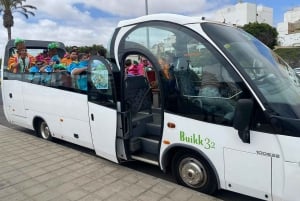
[[194, 78]]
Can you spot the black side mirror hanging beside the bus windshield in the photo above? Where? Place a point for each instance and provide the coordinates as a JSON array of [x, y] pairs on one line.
[[242, 118]]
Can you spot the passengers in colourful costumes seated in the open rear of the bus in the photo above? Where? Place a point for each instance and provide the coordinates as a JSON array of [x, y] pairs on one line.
[[48, 61]]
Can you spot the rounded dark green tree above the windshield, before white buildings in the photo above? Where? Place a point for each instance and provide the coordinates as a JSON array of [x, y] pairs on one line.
[[264, 32]]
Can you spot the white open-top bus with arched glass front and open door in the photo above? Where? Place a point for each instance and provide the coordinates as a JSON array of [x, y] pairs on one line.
[[221, 112]]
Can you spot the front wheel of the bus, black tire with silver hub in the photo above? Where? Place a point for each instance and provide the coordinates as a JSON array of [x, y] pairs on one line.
[[193, 171]]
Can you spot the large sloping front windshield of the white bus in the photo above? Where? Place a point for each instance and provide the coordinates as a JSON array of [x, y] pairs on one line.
[[272, 78]]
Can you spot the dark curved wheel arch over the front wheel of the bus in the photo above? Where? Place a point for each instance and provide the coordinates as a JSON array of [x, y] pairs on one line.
[[170, 152]]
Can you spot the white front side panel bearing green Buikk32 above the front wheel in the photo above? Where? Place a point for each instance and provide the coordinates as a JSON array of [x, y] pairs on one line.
[[239, 165]]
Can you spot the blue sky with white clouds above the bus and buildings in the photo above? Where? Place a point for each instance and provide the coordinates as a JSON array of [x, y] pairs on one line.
[[88, 22]]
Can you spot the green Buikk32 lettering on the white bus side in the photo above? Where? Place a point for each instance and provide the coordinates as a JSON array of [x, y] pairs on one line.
[[206, 142]]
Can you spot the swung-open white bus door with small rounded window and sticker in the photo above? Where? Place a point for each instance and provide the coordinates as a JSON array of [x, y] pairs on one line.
[[102, 108]]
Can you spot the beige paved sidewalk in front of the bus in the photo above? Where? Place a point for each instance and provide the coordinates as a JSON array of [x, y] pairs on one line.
[[33, 169]]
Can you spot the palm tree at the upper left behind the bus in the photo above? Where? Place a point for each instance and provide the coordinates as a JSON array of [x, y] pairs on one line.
[[7, 7]]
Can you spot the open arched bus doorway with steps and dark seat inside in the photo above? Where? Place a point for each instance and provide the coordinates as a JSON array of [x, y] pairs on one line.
[[142, 113]]
